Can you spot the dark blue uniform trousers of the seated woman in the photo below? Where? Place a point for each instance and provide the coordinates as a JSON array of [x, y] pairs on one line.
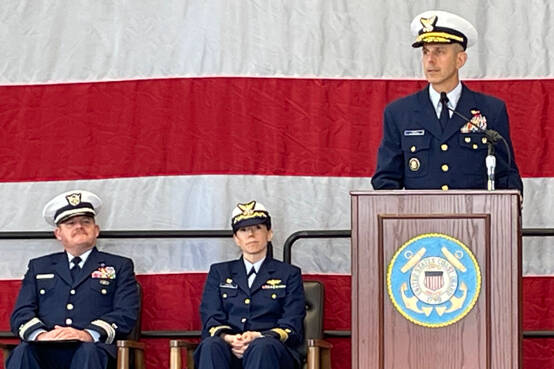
[[262, 353]]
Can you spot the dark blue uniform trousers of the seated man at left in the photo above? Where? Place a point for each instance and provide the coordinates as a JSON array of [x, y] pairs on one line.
[[79, 355]]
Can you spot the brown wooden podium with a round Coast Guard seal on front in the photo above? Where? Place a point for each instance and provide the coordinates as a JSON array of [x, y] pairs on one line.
[[488, 336]]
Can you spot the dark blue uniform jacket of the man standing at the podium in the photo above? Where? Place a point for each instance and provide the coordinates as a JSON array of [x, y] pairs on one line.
[[416, 154]]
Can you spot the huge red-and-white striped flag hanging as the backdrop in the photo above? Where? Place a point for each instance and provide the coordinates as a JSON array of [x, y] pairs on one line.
[[174, 111]]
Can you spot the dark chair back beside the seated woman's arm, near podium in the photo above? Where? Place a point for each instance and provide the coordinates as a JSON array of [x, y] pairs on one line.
[[314, 292]]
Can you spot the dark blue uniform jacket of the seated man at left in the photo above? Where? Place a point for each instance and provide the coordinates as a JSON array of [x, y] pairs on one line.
[[99, 300]]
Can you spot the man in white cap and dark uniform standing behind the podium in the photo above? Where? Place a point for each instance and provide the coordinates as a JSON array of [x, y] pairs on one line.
[[425, 145]]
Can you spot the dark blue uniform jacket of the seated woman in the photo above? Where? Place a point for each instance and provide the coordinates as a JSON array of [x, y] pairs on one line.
[[274, 306]]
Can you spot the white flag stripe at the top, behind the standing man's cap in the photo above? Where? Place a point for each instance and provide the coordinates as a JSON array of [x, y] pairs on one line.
[[81, 40]]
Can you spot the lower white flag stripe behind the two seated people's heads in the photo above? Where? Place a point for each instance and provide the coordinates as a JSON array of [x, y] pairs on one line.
[[206, 202]]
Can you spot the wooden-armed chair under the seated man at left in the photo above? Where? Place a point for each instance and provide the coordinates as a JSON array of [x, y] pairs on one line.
[[124, 347]]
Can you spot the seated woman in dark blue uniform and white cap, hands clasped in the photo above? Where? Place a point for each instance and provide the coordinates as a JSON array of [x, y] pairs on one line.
[[252, 308]]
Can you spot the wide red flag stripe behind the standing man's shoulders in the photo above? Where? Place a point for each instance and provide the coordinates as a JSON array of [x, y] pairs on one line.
[[229, 126]]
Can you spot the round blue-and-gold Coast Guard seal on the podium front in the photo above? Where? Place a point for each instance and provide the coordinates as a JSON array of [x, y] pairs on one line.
[[433, 280]]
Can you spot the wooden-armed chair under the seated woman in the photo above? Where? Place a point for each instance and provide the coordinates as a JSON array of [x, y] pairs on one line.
[[317, 351]]
